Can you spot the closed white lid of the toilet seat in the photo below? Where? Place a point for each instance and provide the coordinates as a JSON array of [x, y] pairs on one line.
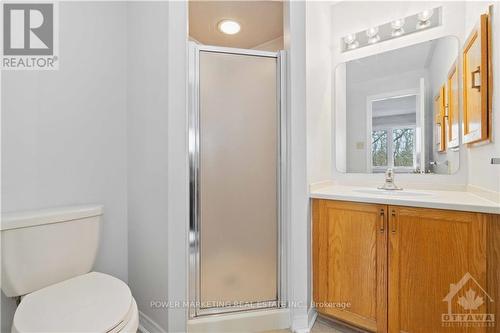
[[94, 302]]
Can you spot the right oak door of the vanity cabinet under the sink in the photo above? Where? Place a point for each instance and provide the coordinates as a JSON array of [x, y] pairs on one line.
[[435, 258]]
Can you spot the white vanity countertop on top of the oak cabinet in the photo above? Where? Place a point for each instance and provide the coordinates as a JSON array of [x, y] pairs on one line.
[[452, 200]]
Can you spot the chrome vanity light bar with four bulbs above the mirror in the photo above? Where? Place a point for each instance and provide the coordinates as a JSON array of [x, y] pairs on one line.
[[426, 19]]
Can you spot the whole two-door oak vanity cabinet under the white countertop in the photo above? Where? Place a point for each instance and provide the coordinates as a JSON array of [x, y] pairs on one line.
[[402, 268]]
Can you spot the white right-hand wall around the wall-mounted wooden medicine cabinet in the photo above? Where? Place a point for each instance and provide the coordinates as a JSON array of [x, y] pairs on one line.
[[481, 172]]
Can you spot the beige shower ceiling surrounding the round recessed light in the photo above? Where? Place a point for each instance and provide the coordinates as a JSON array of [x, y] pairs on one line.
[[261, 21]]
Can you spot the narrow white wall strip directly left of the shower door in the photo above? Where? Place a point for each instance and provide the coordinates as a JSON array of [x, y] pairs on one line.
[[178, 200]]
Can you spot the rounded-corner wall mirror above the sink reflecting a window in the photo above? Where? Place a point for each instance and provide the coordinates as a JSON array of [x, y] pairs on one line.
[[399, 109]]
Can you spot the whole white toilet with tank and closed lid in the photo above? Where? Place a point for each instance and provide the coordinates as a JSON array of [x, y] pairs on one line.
[[47, 257]]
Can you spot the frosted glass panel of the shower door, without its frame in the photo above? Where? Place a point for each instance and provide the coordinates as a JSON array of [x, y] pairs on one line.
[[238, 179]]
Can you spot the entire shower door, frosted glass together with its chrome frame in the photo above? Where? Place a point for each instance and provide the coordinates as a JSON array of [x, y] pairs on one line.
[[237, 178]]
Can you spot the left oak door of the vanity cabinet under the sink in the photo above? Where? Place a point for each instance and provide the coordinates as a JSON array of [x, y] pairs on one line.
[[350, 262]]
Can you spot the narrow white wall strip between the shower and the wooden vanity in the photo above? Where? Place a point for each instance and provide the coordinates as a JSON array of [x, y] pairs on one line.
[[298, 236]]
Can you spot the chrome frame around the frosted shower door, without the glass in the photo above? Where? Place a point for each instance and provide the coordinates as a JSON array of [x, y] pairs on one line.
[[194, 176]]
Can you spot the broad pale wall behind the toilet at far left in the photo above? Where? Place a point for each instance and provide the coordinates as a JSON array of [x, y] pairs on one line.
[[64, 132]]
